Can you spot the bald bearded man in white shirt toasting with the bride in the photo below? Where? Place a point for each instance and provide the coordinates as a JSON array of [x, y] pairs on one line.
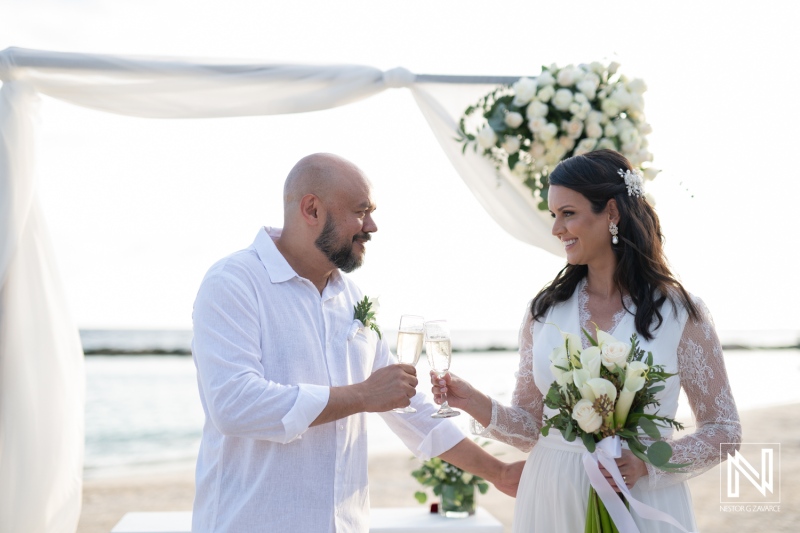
[[286, 375]]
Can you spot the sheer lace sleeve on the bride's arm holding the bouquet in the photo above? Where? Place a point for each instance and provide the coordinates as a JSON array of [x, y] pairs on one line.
[[703, 377]]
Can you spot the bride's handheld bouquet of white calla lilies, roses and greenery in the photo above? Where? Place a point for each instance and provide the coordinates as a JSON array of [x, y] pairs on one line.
[[601, 394]]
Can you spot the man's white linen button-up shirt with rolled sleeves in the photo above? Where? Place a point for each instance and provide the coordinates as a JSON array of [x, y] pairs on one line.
[[268, 347]]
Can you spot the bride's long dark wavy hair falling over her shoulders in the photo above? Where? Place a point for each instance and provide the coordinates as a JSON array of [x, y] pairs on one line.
[[642, 269]]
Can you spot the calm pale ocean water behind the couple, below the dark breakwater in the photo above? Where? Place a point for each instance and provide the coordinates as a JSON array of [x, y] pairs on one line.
[[143, 411]]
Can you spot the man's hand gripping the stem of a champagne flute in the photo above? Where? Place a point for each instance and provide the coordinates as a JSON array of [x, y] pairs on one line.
[[389, 387]]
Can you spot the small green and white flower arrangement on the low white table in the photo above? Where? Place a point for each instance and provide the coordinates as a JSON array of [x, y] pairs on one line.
[[447, 480]]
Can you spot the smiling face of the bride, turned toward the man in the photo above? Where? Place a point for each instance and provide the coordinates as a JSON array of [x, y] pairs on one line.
[[583, 233]]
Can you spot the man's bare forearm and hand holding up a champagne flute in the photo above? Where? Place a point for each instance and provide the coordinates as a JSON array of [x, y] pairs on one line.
[[386, 388]]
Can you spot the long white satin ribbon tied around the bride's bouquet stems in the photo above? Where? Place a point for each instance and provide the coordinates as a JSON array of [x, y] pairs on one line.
[[607, 450]]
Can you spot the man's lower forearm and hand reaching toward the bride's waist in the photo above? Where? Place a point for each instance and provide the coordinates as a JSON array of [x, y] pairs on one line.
[[472, 458]]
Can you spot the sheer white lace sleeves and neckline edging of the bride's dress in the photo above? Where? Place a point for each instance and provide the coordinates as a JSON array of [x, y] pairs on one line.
[[702, 375]]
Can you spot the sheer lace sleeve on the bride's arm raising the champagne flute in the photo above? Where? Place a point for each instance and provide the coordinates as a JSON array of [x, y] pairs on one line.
[[518, 424]]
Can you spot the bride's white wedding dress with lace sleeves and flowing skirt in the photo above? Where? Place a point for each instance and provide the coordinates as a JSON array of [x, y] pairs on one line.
[[554, 488]]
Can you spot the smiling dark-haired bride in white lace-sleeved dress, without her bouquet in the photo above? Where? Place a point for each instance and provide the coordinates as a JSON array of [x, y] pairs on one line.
[[616, 278]]
